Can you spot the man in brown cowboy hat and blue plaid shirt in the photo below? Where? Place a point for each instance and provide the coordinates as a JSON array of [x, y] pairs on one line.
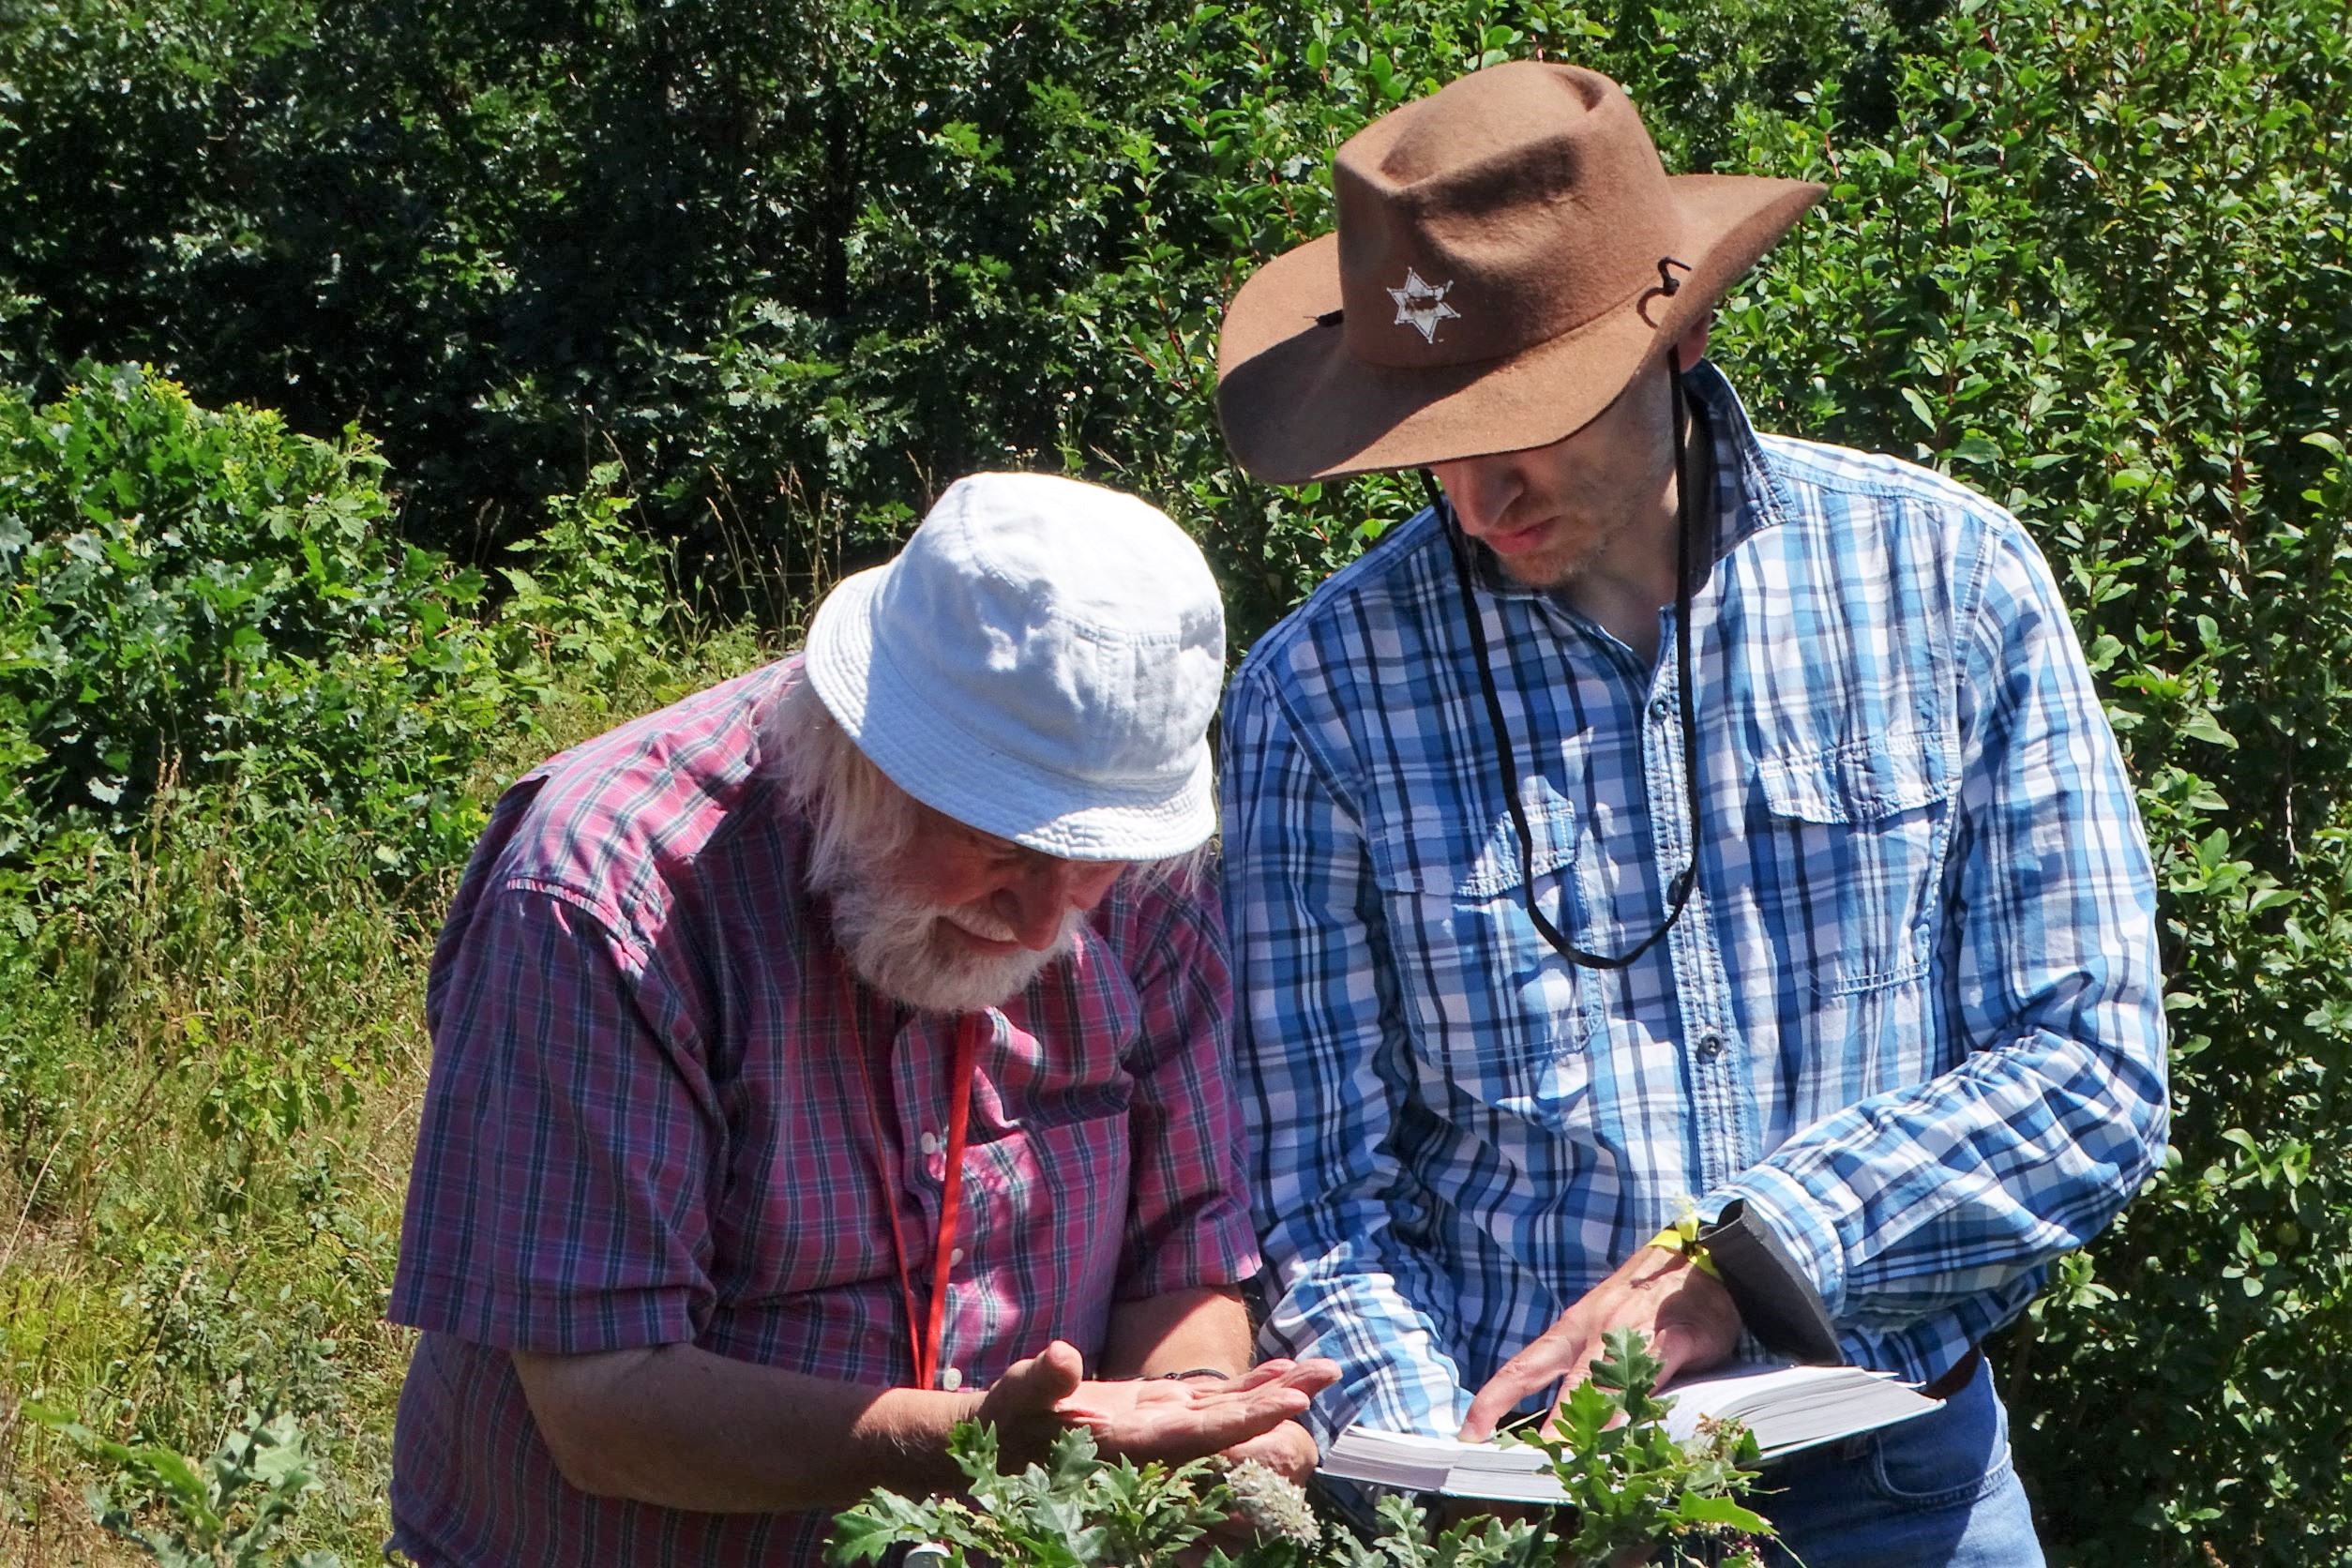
[[1681, 880]]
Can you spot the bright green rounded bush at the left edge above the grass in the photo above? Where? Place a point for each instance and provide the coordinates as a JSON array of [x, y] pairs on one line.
[[206, 596]]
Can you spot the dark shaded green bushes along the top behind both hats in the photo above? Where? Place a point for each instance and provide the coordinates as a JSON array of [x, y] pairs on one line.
[[791, 267]]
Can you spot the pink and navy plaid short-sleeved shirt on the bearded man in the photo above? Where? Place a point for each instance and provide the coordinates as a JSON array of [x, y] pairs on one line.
[[646, 1127]]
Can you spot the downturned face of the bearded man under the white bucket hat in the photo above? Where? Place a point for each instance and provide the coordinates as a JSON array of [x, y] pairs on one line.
[[961, 920]]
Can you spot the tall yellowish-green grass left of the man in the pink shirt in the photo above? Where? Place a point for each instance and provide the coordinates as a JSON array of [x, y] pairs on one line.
[[211, 1066]]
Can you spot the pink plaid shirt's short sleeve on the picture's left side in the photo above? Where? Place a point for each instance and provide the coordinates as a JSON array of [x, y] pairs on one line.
[[563, 1165]]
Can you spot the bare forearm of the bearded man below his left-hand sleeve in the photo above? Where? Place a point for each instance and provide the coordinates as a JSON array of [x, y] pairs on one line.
[[683, 1428]]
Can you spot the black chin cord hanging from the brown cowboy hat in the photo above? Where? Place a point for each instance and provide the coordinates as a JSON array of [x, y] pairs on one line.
[[1681, 892]]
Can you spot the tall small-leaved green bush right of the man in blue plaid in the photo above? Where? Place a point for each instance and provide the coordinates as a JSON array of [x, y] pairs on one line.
[[2099, 272]]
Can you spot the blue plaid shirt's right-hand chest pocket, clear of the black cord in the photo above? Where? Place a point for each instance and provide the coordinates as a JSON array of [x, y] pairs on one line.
[[1847, 855]]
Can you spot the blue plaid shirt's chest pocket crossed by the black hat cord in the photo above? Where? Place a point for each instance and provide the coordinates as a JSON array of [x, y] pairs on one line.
[[1492, 1010]]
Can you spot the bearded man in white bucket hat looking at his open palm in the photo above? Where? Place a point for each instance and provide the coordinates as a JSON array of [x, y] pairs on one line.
[[836, 1057]]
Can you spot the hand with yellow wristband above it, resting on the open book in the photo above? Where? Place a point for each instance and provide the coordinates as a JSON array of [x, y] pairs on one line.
[[1683, 1311]]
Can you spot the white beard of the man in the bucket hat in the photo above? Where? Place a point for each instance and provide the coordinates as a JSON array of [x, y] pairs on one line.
[[900, 949]]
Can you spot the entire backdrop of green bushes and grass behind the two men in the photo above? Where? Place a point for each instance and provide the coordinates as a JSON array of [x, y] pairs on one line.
[[399, 391]]
